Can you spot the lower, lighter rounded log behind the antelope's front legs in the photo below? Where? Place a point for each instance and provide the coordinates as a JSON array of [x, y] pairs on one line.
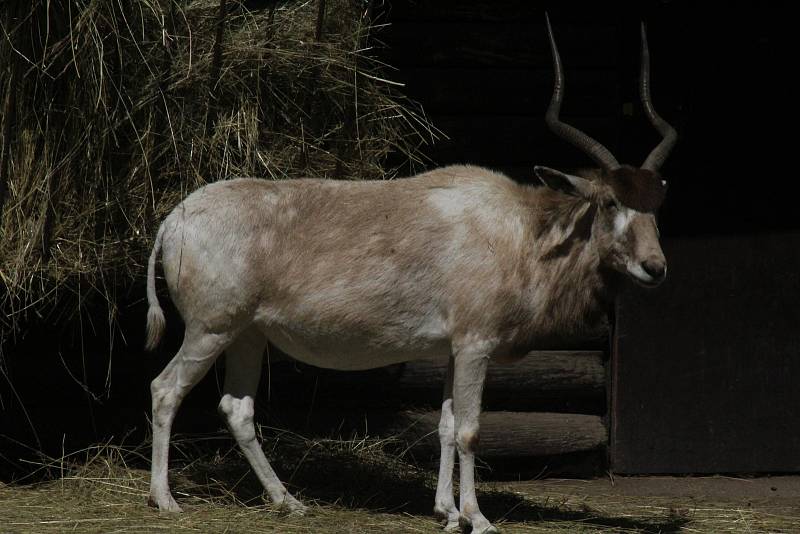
[[515, 434]]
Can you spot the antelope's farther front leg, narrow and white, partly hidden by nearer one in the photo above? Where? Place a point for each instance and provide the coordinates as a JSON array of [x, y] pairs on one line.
[[445, 507]]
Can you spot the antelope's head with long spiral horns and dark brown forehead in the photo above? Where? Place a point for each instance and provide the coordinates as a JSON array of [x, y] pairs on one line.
[[626, 198]]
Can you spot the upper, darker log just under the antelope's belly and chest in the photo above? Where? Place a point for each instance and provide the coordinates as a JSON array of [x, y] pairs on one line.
[[561, 381]]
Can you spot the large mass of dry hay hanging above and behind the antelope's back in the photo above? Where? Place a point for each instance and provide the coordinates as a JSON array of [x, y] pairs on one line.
[[113, 111]]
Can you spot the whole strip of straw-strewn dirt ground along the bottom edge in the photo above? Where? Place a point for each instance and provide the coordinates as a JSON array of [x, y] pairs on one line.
[[115, 502]]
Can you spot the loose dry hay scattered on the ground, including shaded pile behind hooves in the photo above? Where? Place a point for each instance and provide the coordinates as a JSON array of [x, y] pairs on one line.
[[352, 486]]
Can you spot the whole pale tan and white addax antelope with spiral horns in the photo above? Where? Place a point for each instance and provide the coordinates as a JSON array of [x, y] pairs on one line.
[[459, 263]]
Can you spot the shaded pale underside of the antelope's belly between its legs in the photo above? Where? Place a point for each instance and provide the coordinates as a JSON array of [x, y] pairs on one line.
[[353, 354]]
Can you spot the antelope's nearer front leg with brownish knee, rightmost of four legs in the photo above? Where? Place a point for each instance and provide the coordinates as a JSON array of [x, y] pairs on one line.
[[471, 361]]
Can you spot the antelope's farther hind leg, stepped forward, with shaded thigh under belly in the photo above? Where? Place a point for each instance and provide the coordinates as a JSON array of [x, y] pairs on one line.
[[242, 372]]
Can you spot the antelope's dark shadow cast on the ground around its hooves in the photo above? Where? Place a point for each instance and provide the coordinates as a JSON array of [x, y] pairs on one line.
[[331, 473]]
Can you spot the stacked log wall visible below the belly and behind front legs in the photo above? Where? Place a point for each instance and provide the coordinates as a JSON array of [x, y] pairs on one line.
[[548, 403]]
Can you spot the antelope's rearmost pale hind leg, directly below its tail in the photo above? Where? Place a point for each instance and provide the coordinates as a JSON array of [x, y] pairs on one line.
[[195, 357]]
